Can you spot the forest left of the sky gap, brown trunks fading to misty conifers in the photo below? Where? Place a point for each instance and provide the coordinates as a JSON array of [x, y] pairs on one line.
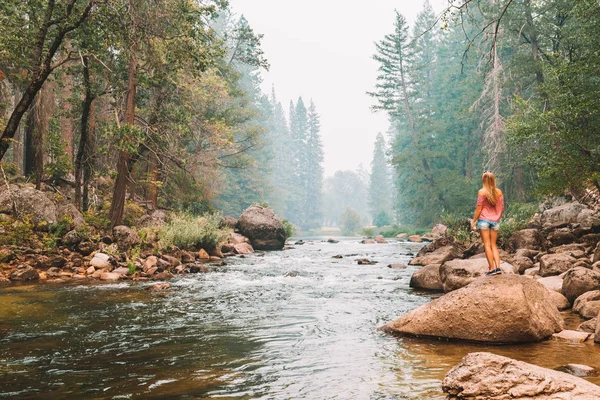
[[161, 101]]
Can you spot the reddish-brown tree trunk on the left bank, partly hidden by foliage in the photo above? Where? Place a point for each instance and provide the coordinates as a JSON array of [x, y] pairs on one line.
[[118, 201]]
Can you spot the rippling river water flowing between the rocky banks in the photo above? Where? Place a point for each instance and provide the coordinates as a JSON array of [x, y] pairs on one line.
[[280, 325]]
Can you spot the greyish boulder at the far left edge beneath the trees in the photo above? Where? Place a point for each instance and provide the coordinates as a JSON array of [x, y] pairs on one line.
[[28, 200]]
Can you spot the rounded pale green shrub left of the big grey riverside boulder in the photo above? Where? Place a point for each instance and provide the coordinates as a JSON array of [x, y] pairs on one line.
[[191, 233]]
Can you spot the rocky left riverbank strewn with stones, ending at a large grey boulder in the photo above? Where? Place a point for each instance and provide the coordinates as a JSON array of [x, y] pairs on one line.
[[46, 239]]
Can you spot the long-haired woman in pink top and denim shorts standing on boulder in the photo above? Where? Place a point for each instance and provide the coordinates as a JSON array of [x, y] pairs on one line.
[[490, 206]]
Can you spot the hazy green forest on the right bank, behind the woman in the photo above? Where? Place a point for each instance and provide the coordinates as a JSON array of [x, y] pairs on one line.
[[509, 86]]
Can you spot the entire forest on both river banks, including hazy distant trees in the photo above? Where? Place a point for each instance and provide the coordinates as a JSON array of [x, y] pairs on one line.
[[161, 103]]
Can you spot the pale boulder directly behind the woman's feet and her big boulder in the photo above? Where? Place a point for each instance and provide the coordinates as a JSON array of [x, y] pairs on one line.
[[456, 274]]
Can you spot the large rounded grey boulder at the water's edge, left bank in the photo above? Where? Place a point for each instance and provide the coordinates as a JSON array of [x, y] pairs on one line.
[[264, 229]]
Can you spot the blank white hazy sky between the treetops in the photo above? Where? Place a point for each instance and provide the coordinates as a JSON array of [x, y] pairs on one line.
[[322, 50]]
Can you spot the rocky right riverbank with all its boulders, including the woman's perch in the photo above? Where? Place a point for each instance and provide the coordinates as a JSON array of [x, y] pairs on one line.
[[553, 265]]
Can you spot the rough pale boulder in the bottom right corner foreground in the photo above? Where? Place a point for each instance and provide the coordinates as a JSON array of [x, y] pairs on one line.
[[492, 377]]
